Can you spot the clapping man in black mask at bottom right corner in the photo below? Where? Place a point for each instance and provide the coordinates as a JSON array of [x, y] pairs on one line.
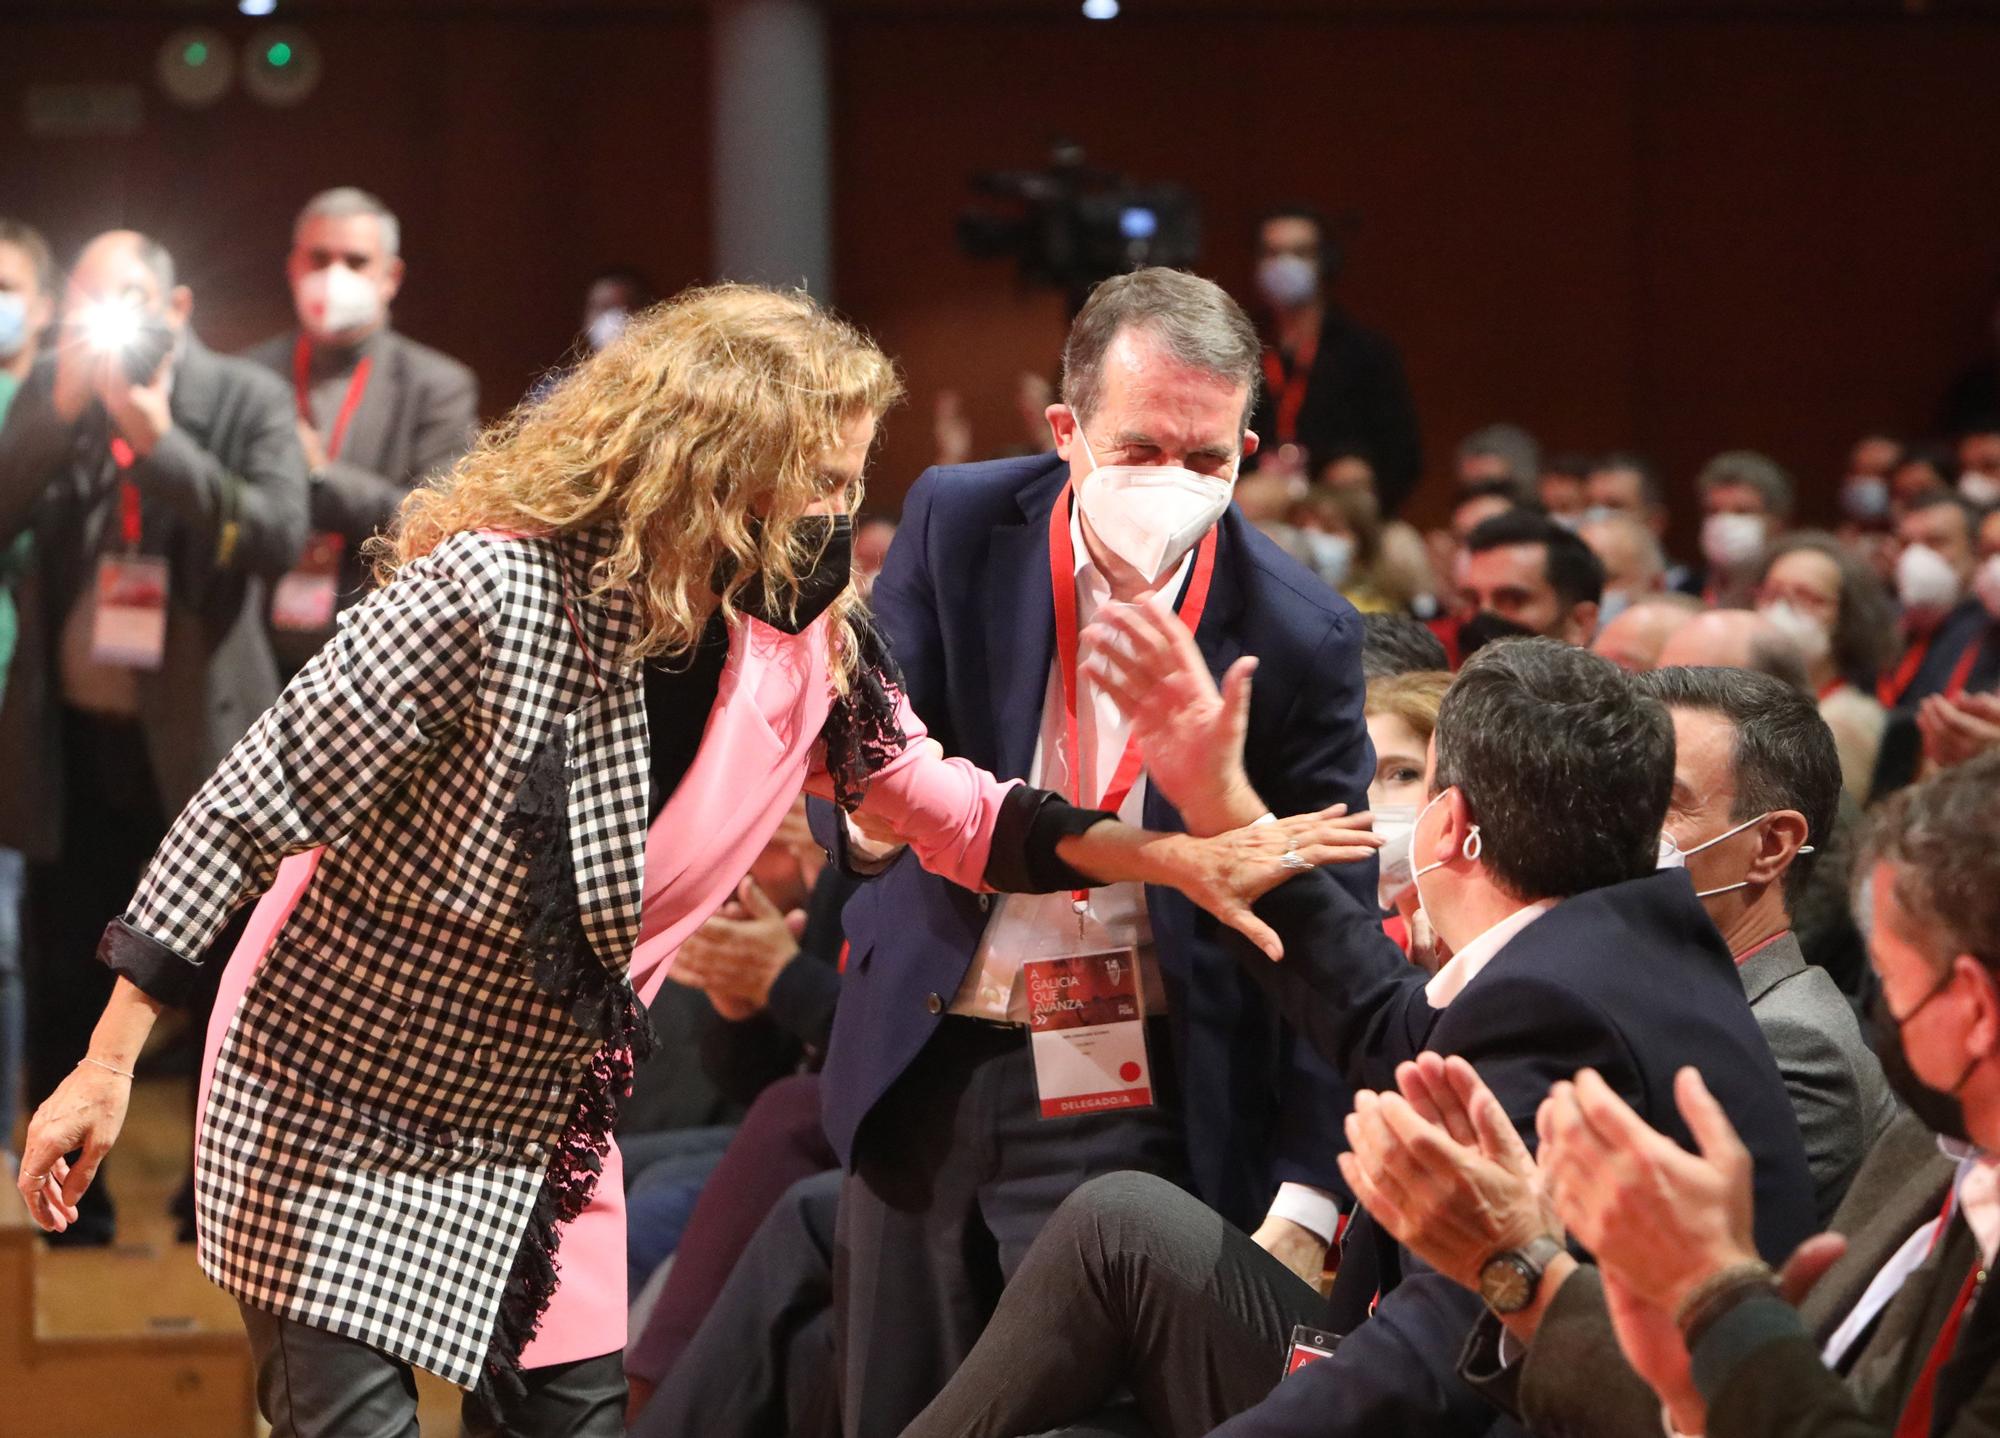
[[1697, 1315]]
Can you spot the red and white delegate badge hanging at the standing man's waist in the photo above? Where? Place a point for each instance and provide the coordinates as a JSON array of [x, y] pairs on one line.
[[1087, 1031]]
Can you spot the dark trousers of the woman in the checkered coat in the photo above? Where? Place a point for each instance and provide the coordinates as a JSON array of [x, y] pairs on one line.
[[313, 1383]]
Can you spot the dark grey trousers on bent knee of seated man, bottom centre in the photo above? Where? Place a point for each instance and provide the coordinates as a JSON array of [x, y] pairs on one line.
[[1133, 1289]]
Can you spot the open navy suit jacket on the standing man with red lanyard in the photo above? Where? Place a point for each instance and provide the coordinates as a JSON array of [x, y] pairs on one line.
[[965, 601]]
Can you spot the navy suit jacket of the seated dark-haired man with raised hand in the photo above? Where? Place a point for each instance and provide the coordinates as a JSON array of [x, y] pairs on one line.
[[1631, 981]]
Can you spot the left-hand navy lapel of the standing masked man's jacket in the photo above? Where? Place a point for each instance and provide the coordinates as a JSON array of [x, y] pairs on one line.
[[1021, 625]]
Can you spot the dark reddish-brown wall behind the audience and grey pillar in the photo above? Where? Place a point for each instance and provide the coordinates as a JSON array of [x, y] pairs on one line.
[[1619, 227]]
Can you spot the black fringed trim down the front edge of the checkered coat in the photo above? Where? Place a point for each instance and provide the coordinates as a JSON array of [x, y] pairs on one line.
[[601, 1003]]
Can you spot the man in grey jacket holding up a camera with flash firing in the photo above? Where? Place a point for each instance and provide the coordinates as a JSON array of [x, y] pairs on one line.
[[163, 485]]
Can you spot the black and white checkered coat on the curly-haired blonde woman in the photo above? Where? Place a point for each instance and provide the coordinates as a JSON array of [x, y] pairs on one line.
[[385, 1099]]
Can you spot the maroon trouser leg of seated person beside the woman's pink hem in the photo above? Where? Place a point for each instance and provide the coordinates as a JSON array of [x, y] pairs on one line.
[[779, 1143]]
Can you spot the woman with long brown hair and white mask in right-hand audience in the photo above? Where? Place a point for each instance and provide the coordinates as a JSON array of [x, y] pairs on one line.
[[1839, 615]]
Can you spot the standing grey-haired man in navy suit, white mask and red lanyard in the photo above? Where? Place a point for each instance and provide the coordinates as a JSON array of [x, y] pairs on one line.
[[931, 1091]]
